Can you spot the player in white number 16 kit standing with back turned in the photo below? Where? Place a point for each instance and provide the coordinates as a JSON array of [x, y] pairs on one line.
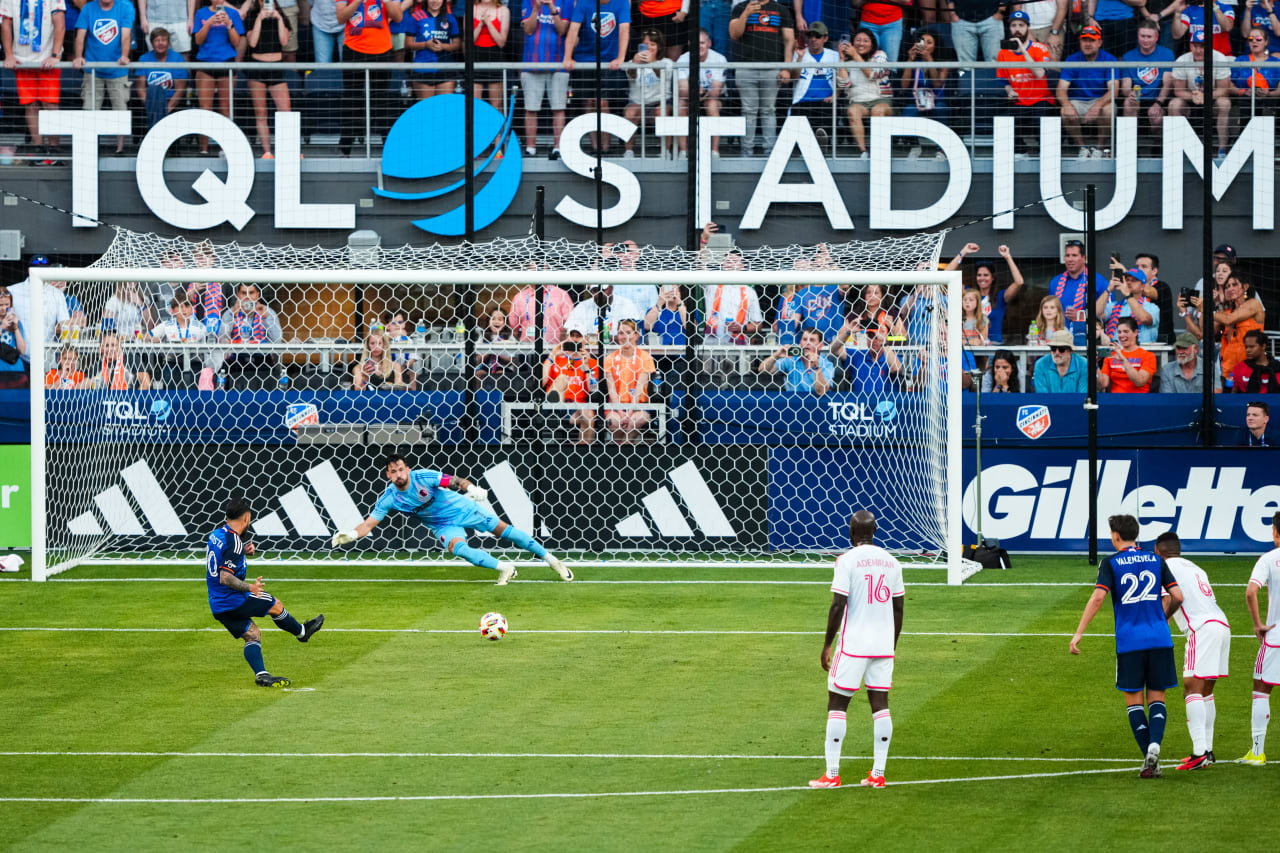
[[867, 612]]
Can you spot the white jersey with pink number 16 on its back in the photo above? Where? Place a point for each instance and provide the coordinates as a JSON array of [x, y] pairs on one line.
[[872, 578]]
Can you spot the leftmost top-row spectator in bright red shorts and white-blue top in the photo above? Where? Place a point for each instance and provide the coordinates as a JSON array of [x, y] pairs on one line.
[[33, 58]]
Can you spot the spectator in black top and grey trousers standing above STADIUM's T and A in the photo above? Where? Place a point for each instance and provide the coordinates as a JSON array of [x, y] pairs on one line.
[[765, 33]]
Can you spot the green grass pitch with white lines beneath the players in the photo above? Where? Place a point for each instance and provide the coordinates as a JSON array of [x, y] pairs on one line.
[[595, 724]]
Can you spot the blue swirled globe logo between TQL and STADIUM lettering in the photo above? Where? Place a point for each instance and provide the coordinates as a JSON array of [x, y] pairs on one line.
[[423, 145]]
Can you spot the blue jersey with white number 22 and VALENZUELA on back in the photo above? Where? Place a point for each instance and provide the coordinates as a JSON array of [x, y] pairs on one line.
[[1136, 578]]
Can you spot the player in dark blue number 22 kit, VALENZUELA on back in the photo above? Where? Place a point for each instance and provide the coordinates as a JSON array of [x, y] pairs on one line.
[[1145, 649]]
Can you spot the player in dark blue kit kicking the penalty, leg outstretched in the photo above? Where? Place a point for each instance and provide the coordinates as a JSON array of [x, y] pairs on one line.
[[235, 603]]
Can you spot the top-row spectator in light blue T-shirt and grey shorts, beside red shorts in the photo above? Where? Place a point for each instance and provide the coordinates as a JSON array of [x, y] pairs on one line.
[[104, 35]]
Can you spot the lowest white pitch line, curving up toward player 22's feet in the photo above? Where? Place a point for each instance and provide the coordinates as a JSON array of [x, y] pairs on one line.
[[228, 801]]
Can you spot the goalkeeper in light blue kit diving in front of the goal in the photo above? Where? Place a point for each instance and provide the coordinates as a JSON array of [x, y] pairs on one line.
[[450, 507]]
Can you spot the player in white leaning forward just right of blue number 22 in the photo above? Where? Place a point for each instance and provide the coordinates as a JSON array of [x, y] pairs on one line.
[[1209, 649]]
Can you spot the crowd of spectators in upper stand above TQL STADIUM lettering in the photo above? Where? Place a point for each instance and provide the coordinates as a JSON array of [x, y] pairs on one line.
[[643, 43]]
